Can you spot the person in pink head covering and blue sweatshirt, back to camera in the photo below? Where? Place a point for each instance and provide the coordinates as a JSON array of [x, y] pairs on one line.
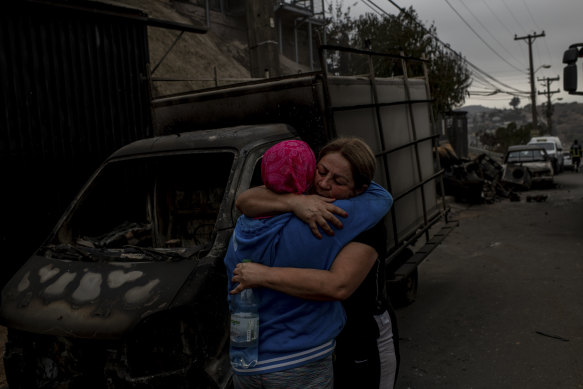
[[297, 335]]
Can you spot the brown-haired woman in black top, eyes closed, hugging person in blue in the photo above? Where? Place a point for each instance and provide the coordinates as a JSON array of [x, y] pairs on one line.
[[366, 354]]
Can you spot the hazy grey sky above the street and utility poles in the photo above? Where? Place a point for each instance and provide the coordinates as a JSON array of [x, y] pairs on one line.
[[484, 35]]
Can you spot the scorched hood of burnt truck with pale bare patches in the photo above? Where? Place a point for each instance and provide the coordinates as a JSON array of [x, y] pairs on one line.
[[89, 300]]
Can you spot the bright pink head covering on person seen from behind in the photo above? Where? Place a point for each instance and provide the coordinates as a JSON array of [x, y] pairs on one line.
[[288, 167]]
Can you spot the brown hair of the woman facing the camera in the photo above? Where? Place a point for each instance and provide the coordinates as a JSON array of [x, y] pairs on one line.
[[358, 154]]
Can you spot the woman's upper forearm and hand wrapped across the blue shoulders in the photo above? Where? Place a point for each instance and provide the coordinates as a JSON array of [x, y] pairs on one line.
[[313, 210]]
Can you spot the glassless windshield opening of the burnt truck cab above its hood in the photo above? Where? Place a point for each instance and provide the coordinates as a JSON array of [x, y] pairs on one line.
[[161, 202]]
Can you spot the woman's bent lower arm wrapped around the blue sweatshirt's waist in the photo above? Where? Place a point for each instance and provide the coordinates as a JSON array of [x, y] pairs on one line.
[[349, 269]]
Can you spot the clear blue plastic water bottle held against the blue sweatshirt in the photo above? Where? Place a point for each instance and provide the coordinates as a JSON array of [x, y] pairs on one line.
[[244, 329]]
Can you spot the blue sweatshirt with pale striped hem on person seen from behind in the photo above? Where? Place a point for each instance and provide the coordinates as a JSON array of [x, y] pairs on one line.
[[295, 331]]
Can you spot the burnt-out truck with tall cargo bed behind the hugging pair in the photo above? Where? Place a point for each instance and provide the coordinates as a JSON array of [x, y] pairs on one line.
[[129, 290]]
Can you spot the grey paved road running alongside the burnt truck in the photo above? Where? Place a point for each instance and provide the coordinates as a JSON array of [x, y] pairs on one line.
[[500, 302]]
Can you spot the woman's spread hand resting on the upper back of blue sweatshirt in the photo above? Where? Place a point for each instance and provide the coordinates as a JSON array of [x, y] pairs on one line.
[[315, 210]]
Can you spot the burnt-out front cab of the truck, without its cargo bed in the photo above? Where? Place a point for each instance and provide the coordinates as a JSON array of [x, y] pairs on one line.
[[130, 288]]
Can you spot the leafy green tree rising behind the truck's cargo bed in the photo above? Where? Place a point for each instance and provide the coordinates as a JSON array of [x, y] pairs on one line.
[[449, 77]]
